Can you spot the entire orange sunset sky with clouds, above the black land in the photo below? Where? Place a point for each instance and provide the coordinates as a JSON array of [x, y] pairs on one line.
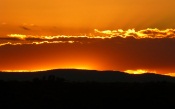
[[124, 35]]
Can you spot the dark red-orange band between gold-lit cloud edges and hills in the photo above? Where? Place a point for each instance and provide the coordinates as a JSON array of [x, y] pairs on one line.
[[100, 54]]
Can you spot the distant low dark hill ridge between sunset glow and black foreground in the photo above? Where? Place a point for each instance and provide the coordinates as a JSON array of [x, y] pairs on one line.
[[75, 75]]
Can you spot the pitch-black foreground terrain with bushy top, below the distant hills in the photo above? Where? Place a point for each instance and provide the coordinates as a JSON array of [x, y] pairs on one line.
[[53, 92]]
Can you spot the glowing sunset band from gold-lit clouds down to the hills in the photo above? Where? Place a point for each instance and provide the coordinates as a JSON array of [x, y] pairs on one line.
[[90, 51]]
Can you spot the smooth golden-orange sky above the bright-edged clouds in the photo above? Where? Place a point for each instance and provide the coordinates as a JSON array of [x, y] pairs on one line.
[[88, 14]]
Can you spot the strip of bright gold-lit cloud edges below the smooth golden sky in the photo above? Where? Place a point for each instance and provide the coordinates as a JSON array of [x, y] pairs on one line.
[[19, 39]]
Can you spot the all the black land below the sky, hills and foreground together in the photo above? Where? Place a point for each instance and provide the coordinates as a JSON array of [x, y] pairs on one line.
[[85, 89]]
